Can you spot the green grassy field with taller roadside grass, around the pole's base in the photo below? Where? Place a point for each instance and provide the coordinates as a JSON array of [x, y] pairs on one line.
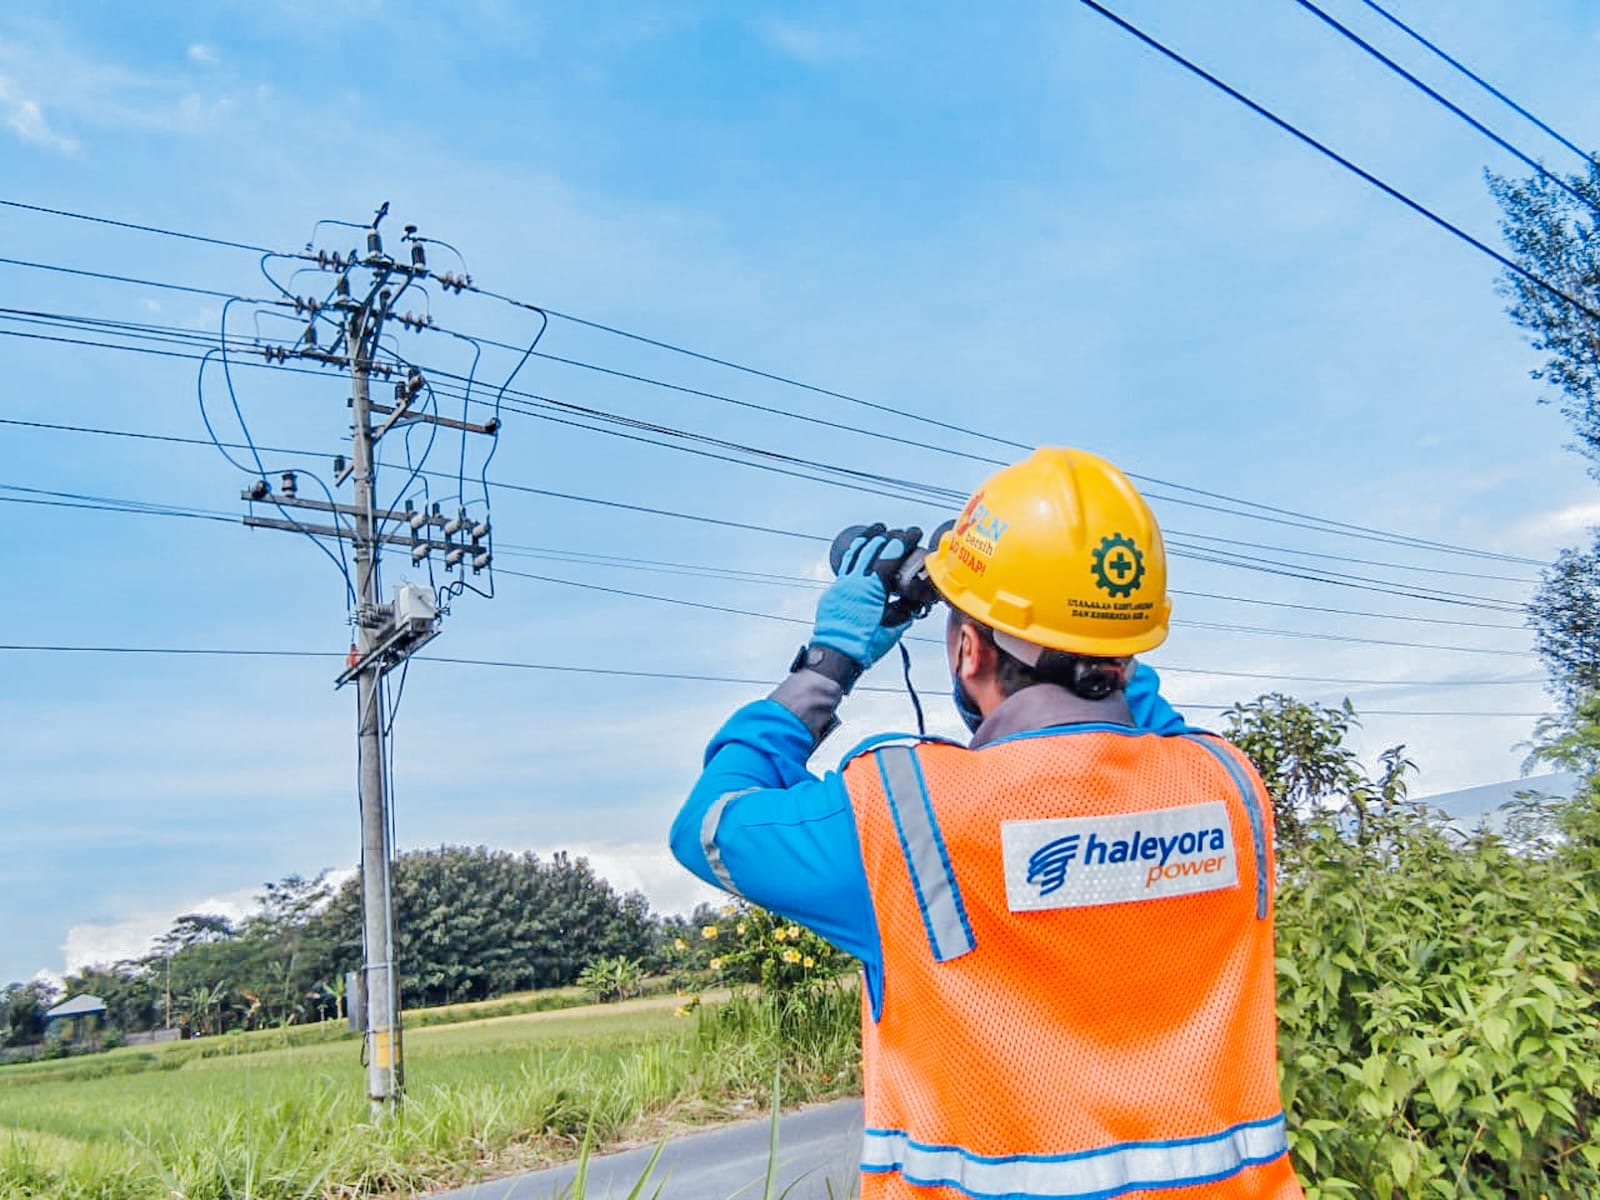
[[290, 1122]]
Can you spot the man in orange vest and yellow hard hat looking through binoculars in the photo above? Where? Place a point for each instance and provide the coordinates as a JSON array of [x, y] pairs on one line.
[[1065, 926]]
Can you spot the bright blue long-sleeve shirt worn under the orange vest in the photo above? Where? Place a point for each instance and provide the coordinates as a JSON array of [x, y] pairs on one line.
[[762, 826]]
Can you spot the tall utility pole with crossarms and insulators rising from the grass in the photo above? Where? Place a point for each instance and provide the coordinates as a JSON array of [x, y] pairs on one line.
[[385, 634]]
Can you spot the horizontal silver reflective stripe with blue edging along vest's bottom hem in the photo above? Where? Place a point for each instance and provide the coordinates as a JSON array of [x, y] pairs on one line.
[[1089, 1175]]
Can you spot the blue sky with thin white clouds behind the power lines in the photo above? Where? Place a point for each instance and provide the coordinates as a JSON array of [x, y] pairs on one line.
[[1012, 220]]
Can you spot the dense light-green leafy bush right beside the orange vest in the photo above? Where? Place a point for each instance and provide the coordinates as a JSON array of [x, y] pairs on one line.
[[1439, 1012]]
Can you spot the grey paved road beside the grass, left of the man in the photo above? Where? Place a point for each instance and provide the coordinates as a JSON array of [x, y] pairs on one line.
[[820, 1148]]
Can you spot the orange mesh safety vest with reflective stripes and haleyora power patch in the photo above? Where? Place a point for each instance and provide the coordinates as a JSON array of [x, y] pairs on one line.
[[1078, 972]]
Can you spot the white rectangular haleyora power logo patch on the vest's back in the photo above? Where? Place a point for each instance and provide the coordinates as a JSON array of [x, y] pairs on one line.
[[1073, 863]]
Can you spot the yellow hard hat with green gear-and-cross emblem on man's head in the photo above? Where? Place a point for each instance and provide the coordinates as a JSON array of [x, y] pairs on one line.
[[1058, 551]]
